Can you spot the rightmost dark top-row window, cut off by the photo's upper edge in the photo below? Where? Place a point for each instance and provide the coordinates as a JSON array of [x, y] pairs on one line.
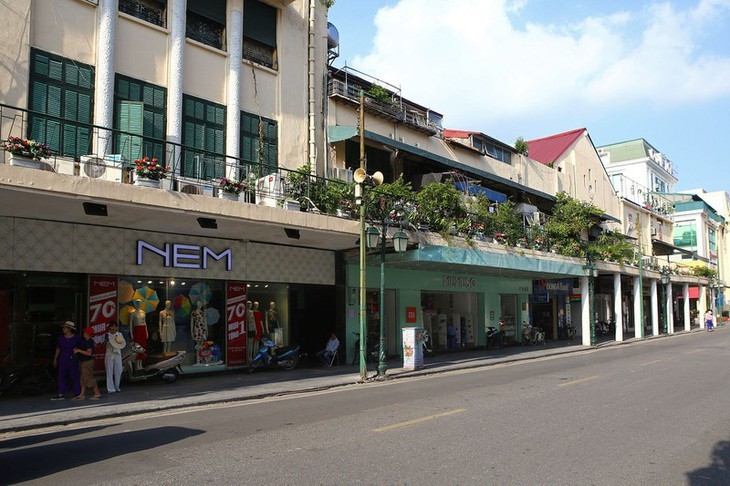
[[259, 33]]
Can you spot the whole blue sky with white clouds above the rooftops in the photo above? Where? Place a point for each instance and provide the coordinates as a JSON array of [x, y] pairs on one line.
[[658, 70]]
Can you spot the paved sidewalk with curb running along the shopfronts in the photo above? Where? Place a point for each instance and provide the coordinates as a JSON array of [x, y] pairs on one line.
[[26, 413]]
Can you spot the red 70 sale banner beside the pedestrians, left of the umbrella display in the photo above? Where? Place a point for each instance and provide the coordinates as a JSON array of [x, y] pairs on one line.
[[102, 311]]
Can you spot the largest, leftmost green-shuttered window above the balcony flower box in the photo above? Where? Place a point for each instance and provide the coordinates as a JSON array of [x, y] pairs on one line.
[[64, 90]]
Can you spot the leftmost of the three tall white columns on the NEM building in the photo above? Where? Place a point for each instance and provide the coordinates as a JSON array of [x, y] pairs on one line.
[[106, 26]]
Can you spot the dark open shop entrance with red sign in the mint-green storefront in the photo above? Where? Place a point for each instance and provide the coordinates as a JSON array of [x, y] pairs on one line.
[[450, 319]]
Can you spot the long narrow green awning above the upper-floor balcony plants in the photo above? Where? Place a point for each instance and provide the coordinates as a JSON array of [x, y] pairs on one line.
[[337, 133]]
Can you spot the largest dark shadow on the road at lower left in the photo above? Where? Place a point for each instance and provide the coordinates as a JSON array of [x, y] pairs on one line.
[[37, 462]]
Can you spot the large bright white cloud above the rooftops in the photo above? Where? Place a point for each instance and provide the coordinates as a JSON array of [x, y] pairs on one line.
[[468, 58]]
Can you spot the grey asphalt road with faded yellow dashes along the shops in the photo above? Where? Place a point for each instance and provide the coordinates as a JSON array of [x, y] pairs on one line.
[[648, 413]]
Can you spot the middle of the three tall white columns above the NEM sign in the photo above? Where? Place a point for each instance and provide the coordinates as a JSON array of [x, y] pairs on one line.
[[175, 81]]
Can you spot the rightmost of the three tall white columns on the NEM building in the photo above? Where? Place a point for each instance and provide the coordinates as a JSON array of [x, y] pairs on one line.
[[234, 35]]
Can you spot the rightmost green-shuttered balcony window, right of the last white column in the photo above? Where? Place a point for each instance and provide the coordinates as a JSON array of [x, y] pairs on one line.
[[261, 139]]
